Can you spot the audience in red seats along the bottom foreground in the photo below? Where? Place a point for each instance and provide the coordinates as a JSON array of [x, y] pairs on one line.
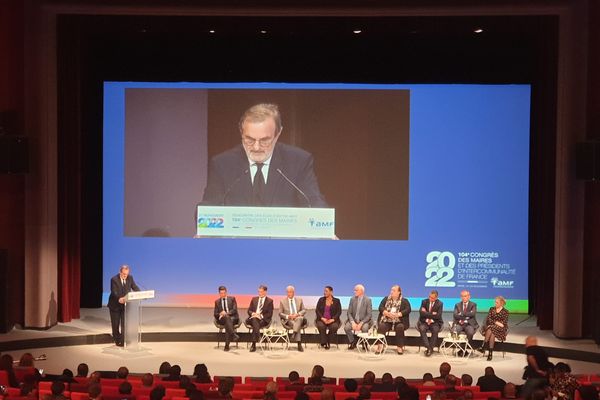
[[173, 385]]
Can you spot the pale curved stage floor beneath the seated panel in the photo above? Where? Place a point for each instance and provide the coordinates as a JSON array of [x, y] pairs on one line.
[[187, 336]]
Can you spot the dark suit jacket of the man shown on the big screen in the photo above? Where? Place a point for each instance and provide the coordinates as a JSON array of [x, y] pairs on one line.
[[229, 185]]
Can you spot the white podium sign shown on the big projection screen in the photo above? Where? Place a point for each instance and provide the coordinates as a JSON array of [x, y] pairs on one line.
[[265, 222]]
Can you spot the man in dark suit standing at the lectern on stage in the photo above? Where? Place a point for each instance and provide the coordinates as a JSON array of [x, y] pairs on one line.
[[120, 285]]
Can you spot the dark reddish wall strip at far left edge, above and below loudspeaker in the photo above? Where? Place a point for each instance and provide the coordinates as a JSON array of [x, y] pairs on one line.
[[12, 189]]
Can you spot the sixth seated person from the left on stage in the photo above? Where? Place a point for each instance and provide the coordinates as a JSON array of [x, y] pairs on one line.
[[394, 313]]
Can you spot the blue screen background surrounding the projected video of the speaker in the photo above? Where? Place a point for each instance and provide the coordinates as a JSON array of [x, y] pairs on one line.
[[468, 192]]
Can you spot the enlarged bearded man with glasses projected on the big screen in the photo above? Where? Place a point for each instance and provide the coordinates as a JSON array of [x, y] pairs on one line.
[[260, 171]]
